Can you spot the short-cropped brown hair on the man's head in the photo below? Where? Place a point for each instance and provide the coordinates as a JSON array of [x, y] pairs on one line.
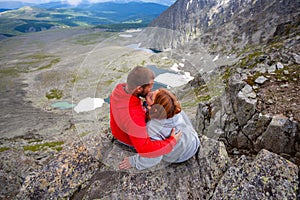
[[139, 76]]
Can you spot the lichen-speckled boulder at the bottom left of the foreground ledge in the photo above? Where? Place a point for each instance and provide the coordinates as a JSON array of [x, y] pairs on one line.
[[61, 177]]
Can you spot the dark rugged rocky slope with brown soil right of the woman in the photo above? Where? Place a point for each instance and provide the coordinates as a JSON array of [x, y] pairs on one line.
[[253, 112]]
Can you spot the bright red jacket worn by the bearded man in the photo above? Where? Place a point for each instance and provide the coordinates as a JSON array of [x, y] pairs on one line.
[[128, 125]]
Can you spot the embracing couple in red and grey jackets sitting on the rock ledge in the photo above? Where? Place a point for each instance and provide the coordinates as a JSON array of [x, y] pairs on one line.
[[158, 131]]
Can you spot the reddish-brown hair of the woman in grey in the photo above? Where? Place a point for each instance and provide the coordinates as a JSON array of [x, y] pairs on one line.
[[165, 106]]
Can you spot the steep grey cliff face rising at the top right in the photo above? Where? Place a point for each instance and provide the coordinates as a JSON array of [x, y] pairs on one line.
[[222, 24]]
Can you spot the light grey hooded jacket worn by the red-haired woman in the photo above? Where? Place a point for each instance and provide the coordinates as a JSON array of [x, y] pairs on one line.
[[185, 148]]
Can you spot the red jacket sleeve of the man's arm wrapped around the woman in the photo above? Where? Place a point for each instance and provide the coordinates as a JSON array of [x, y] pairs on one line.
[[143, 144]]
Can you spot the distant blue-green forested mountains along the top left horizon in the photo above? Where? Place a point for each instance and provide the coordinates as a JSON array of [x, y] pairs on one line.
[[109, 15]]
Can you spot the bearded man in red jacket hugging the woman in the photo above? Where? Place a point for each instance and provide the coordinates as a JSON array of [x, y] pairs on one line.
[[128, 116]]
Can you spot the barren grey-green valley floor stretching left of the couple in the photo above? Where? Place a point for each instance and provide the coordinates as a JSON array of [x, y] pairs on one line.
[[70, 65]]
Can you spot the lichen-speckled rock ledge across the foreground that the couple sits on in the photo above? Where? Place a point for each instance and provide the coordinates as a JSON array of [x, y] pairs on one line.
[[208, 175]]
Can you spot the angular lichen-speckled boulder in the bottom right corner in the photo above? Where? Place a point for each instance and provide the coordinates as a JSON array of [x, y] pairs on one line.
[[269, 176]]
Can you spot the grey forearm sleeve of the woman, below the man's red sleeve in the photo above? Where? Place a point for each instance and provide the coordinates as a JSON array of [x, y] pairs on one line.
[[141, 163]]
